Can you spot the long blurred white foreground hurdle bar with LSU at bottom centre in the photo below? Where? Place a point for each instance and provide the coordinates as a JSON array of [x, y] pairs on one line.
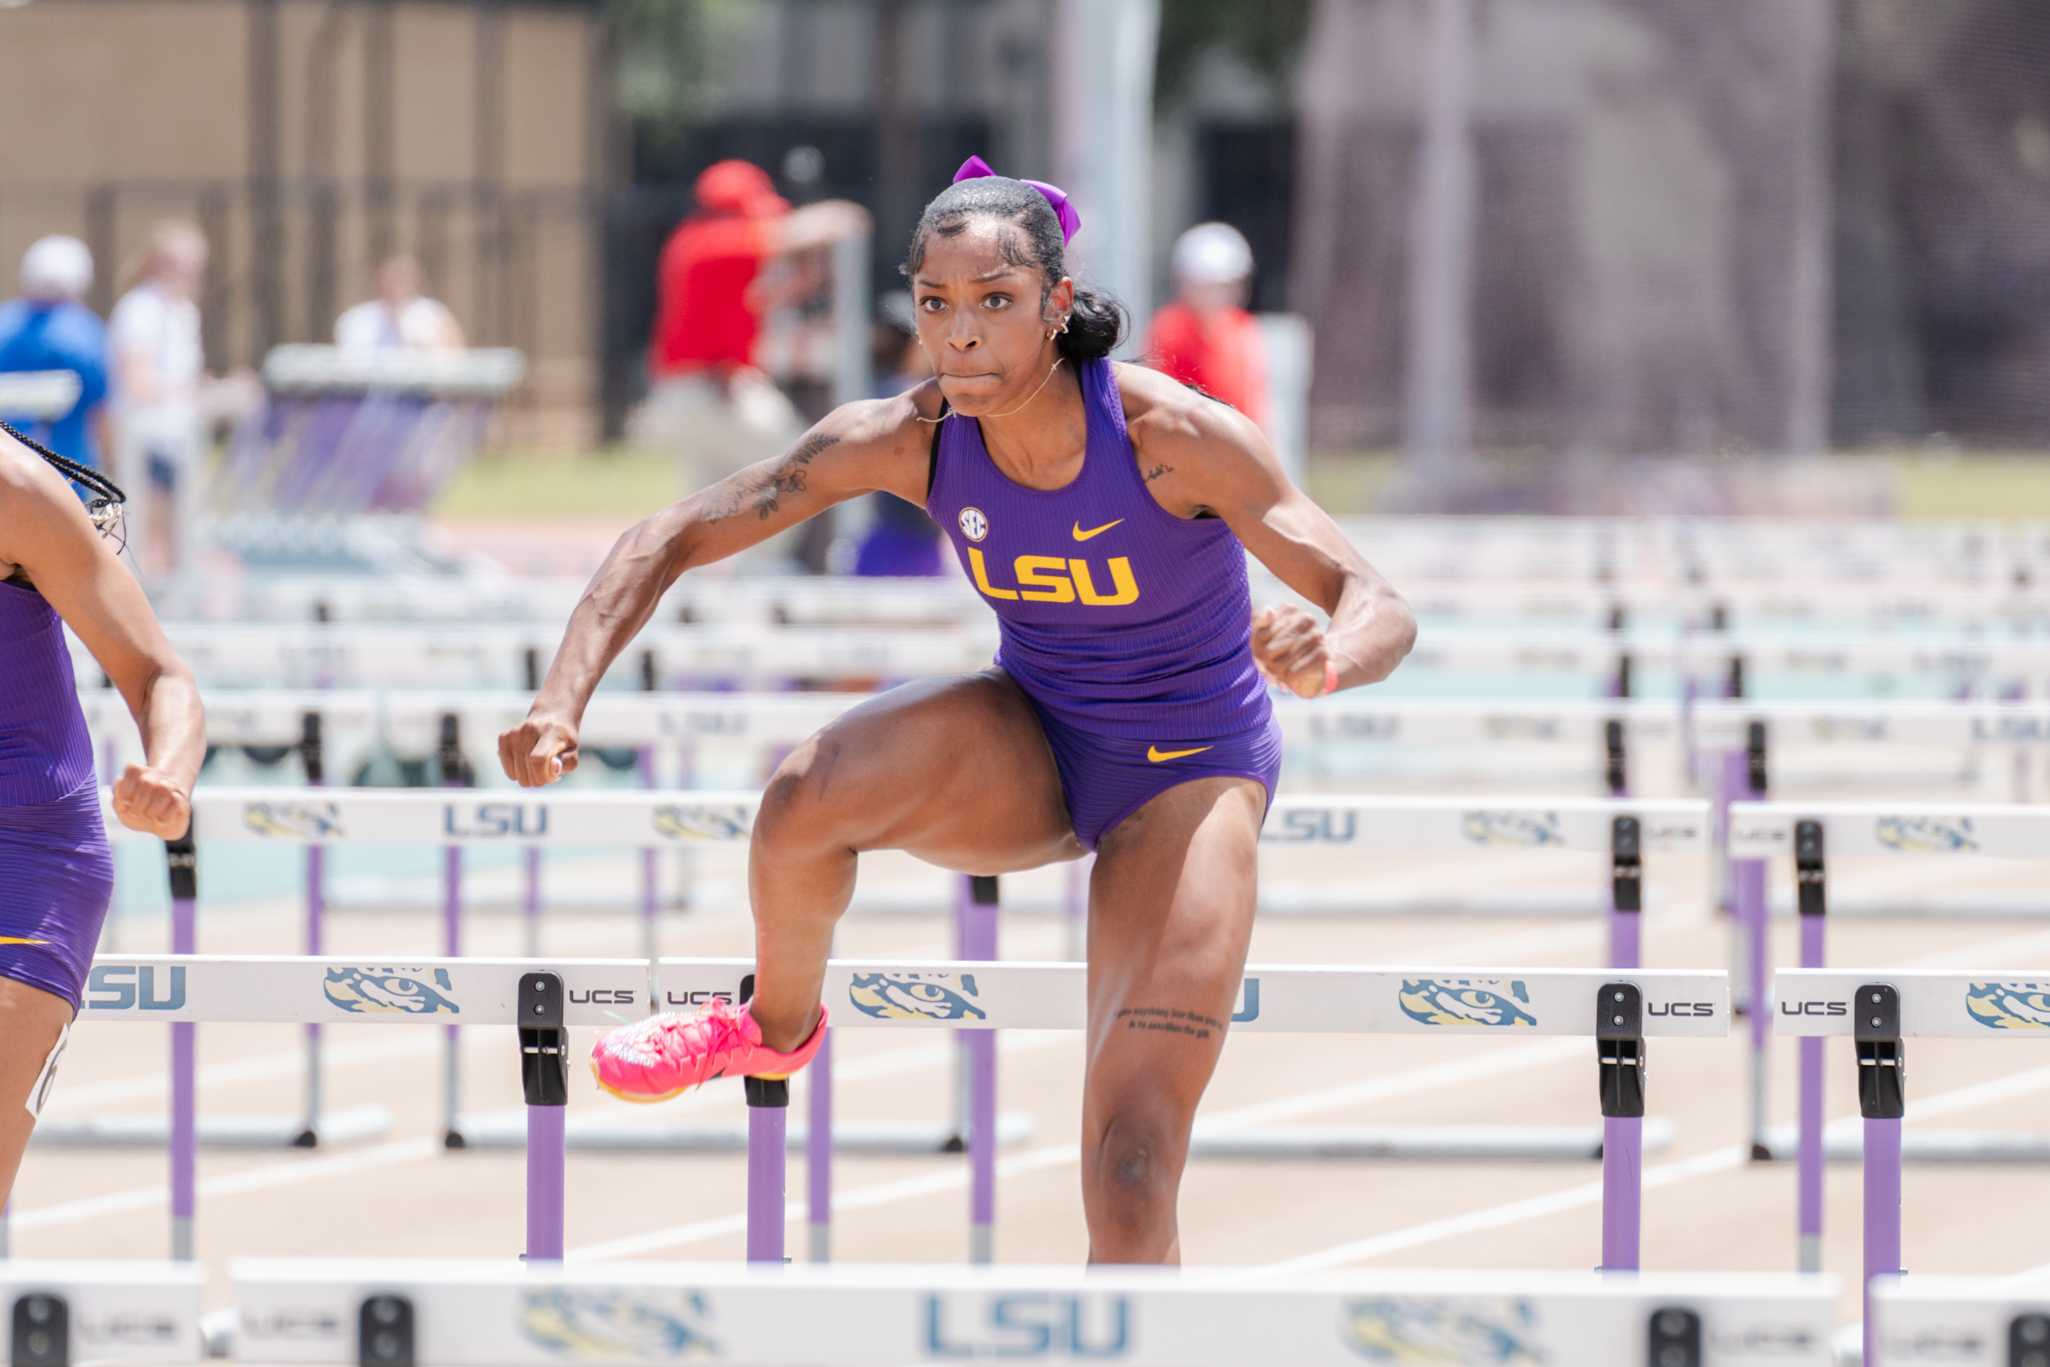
[[483, 1315]]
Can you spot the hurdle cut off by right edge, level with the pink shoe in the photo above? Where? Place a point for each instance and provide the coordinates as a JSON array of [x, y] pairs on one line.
[[1881, 1011]]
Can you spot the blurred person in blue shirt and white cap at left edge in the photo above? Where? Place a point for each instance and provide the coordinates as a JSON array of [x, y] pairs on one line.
[[50, 329]]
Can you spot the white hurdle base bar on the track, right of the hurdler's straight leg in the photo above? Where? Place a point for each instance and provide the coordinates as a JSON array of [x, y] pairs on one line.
[[1424, 1143]]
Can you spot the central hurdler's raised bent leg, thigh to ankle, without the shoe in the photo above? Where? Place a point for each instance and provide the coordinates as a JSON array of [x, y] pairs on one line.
[[952, 772]]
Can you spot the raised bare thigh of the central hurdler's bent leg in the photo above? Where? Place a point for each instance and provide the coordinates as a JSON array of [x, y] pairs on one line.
[[954, 772]]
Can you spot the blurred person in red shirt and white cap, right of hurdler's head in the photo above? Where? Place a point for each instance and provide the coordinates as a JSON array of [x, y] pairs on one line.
[[1206, 337]]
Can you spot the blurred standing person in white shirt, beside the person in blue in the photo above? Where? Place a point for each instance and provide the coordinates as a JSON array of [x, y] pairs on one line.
[[159, 368]]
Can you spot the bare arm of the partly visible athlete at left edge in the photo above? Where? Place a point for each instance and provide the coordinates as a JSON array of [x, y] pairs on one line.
[[69, 563]]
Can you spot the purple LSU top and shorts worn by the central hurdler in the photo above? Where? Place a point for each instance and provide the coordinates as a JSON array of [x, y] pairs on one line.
[[1129, 628]]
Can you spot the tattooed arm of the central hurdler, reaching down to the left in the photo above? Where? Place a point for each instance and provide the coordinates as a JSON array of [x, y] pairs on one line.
[[856, 450]]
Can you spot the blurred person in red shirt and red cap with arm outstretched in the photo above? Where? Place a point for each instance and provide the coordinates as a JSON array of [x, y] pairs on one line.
[[706, 399]]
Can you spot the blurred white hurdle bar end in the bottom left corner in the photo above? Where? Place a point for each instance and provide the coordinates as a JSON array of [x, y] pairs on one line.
[[101, 1313]]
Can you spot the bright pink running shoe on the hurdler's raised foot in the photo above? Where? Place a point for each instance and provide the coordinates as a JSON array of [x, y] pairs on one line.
[[669, 1054]]
